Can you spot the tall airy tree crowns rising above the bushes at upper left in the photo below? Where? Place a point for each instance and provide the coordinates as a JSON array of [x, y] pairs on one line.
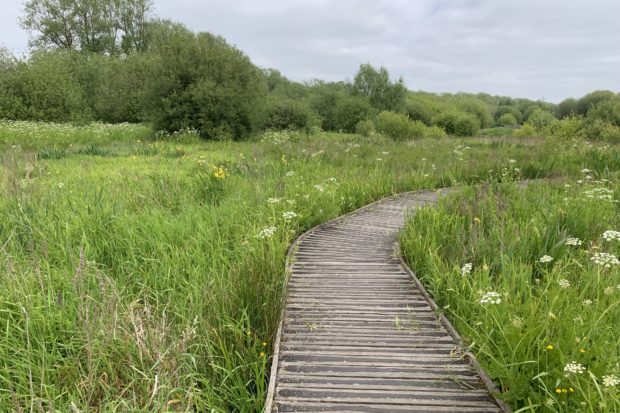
[[96, 26]]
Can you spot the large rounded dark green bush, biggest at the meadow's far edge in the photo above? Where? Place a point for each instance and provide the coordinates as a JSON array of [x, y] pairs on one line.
[[198, 81]]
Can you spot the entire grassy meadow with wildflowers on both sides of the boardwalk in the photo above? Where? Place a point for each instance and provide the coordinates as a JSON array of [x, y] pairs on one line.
[[144, 272]]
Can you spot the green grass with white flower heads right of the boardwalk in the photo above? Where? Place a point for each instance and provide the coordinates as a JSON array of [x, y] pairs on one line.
[[551, 313]]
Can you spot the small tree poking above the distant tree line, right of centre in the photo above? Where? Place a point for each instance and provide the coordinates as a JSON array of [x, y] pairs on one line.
[[375, 84]]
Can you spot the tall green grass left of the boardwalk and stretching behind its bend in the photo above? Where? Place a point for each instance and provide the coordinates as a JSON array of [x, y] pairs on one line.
[[137, 270]]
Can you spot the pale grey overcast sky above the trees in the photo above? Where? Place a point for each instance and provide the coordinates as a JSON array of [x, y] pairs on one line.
[[548, 50]]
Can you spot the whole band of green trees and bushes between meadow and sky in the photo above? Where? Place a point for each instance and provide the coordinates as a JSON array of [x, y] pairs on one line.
[[114, 61]]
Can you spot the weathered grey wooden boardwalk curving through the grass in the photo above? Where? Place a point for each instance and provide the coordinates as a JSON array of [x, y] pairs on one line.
[[360, 334]]
